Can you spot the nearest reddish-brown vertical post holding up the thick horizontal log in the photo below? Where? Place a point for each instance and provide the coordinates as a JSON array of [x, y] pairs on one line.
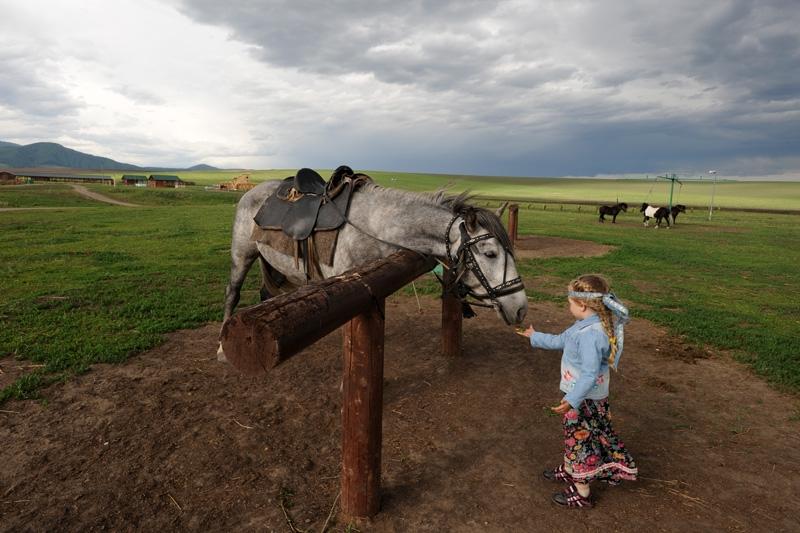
[[362, 410]]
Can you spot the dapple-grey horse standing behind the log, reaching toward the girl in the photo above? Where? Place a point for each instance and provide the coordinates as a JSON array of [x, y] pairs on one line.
[[381, 221]]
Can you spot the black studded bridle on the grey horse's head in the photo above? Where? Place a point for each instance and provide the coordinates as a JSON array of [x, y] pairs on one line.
[[463, 260]]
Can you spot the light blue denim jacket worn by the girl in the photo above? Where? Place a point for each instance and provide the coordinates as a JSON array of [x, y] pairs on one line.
[[584, 363]]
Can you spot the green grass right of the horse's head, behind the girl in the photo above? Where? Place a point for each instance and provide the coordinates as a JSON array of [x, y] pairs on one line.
[[727, 283]]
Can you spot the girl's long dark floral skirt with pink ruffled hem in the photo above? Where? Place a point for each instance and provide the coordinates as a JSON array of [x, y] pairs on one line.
[[592, 450]]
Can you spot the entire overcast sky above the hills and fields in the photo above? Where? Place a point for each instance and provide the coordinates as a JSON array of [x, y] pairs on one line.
[[527, 88]]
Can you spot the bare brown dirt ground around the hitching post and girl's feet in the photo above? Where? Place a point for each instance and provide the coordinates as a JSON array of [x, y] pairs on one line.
[[173, 440]]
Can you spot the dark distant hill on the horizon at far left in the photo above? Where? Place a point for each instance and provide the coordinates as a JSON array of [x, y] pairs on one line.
[[54, 155]]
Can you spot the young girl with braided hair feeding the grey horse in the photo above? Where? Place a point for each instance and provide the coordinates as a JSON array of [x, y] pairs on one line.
[[592, 450]]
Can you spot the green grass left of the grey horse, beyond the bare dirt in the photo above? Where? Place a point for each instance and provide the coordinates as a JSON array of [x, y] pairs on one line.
[[98, 285]]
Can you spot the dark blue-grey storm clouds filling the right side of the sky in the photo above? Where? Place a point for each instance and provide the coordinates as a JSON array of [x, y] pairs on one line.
[[620, 86]]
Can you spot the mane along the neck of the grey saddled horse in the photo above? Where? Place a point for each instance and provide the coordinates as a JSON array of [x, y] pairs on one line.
[[457, 205]]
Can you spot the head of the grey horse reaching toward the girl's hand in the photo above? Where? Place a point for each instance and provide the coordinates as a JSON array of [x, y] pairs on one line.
[[480, 248]]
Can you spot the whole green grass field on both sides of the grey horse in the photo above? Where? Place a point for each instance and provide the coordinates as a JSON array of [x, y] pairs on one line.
[[98, 284]]
